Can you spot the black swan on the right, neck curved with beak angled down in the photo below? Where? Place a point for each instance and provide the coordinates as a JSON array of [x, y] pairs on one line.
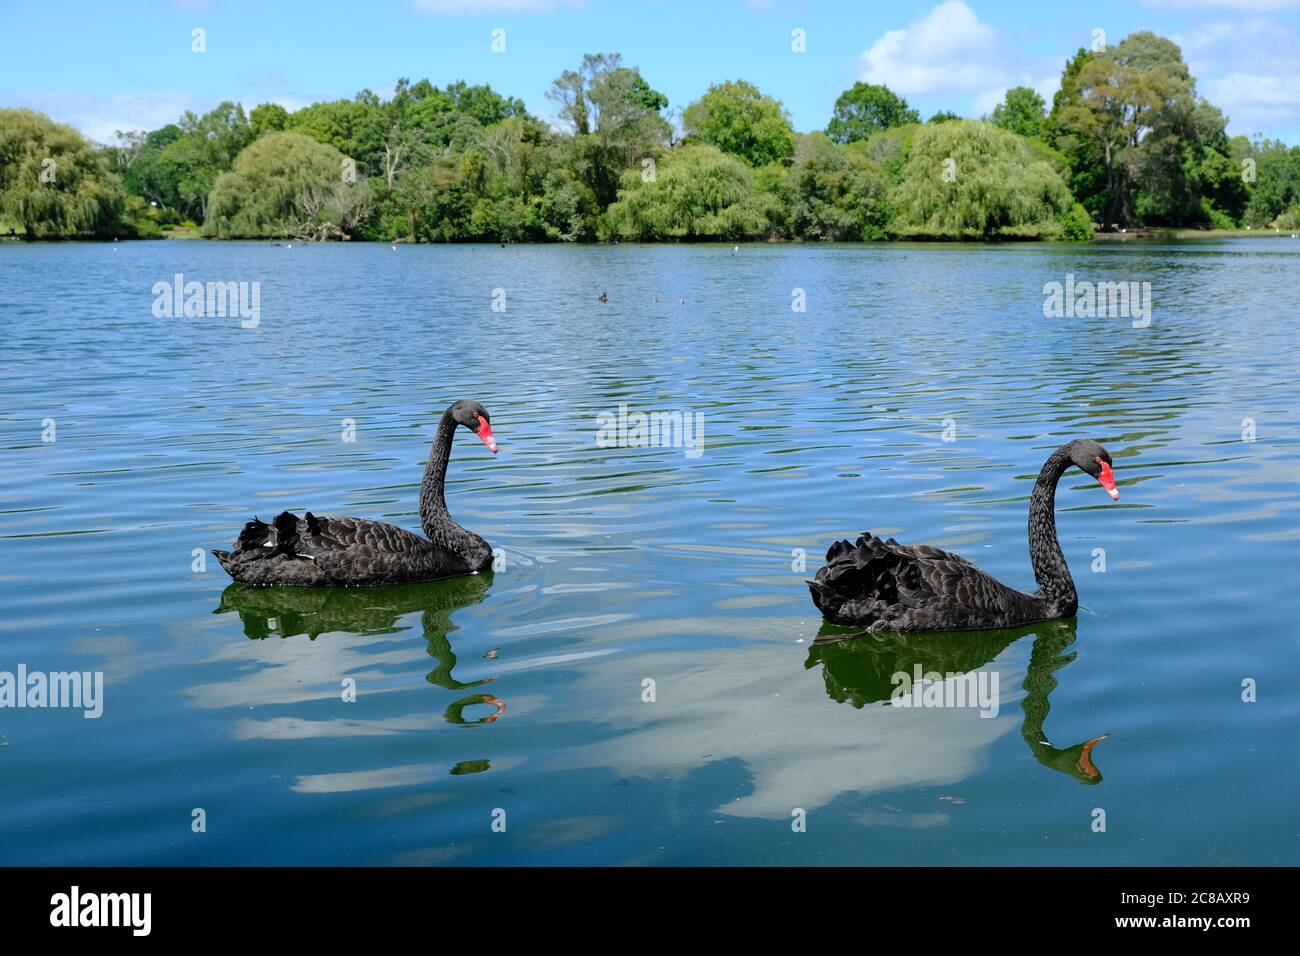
[[885, 586]]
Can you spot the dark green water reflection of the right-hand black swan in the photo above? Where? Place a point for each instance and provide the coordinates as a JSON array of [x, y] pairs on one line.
[[863, 669]]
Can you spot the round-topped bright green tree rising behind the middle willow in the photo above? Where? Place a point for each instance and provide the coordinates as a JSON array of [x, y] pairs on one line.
[[738, 119]]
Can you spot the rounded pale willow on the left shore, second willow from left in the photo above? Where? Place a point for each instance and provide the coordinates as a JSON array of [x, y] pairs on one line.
[[287, 185]]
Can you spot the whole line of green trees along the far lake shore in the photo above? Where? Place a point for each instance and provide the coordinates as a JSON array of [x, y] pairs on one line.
[[1126, 142]]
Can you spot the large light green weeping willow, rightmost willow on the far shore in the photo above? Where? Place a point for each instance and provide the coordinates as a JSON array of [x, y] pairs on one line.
[[969, 180]]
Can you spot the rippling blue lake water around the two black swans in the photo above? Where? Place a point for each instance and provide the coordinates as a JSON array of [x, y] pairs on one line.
[[635, 565]]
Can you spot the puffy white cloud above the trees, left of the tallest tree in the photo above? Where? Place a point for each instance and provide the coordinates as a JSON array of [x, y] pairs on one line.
[[947, 50]]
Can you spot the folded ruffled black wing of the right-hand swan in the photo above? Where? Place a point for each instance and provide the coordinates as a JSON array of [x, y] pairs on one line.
[[907, 587]]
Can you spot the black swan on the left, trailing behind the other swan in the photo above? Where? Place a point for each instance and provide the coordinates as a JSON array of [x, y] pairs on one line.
[[354, 552]]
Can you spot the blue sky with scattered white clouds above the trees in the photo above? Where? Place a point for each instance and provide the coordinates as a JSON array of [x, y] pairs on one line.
[[129, 64]]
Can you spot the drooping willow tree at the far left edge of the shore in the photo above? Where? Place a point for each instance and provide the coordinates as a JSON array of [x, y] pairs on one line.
[[54, 184]]
